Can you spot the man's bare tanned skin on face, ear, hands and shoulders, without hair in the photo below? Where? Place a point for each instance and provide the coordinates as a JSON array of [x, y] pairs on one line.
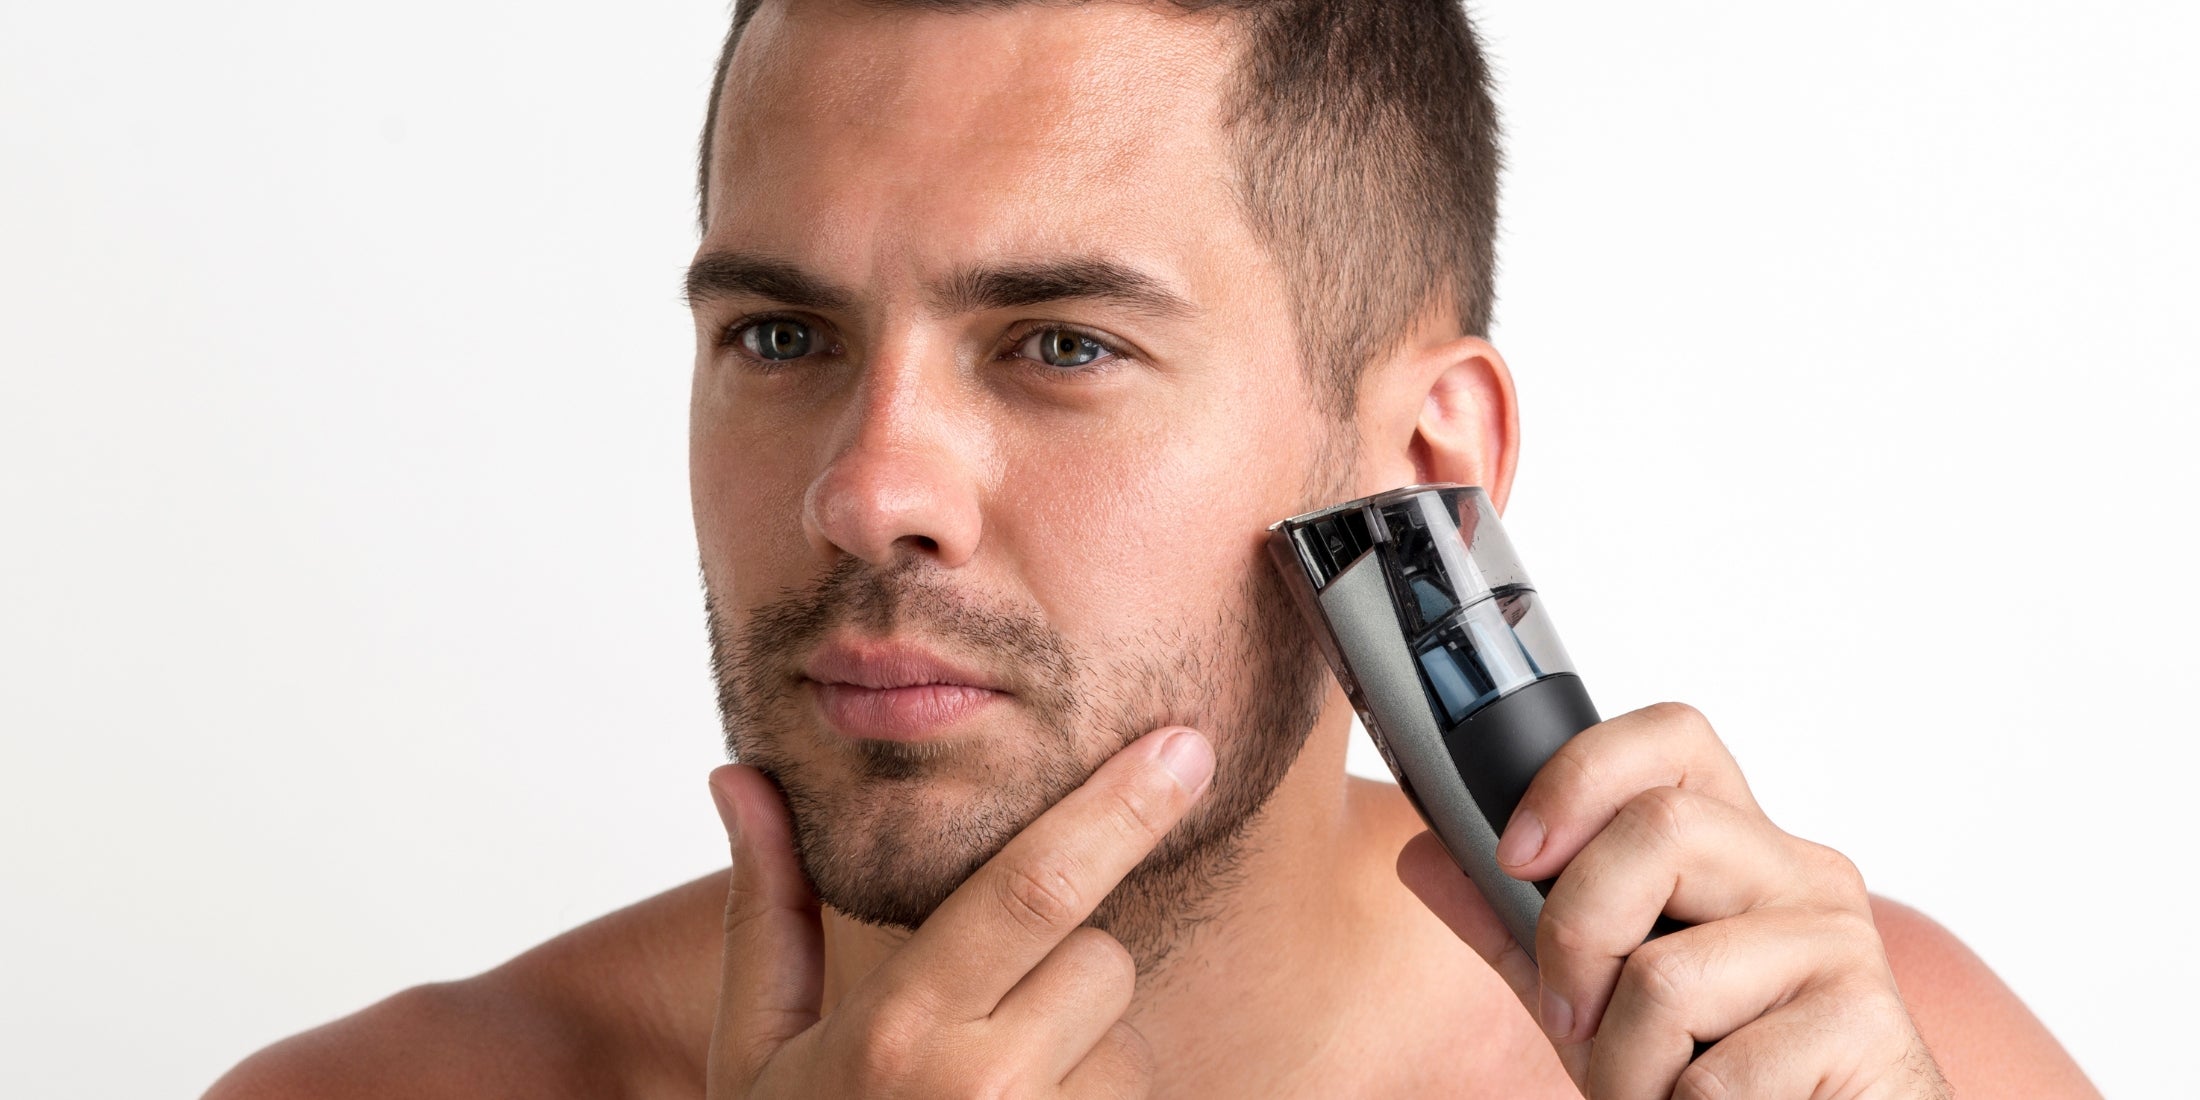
[[872, 151]]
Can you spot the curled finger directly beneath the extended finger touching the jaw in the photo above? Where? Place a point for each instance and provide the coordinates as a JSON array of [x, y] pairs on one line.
[[1066, 1006]]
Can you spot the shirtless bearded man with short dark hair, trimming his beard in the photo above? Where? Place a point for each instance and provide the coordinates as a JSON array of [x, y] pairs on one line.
[[1017, 324]]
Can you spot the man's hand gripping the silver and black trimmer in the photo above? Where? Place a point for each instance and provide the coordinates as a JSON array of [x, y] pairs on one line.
[[1785, 969]]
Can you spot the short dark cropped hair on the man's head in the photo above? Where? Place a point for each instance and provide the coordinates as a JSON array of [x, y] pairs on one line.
[[1367, 157]]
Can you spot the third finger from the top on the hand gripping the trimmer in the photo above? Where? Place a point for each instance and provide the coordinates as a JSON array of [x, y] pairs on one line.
[[1710, 982]]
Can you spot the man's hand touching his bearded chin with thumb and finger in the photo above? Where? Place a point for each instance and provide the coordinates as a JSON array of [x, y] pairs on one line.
[[1000, 993]]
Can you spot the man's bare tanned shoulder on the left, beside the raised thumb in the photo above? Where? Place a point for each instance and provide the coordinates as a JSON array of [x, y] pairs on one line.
[[619, 1006]]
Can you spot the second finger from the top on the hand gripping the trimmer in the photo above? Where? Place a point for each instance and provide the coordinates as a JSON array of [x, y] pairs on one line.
[[1666, 852]]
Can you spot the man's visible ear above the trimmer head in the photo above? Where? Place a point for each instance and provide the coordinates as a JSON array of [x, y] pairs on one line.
[[1444, 412]]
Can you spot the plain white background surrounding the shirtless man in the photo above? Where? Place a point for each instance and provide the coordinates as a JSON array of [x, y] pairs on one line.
[[349, 613]]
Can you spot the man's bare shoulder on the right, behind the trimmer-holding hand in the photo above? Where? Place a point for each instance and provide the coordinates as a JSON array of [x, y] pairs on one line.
[[1974, 1024]]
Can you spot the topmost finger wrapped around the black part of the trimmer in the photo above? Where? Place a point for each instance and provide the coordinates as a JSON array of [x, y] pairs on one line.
[[1585, 784]]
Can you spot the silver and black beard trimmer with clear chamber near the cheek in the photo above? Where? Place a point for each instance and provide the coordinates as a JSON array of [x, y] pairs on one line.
[[1449, 654]]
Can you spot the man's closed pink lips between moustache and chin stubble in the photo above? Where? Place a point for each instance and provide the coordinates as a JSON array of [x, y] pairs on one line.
[[894, 692]]
